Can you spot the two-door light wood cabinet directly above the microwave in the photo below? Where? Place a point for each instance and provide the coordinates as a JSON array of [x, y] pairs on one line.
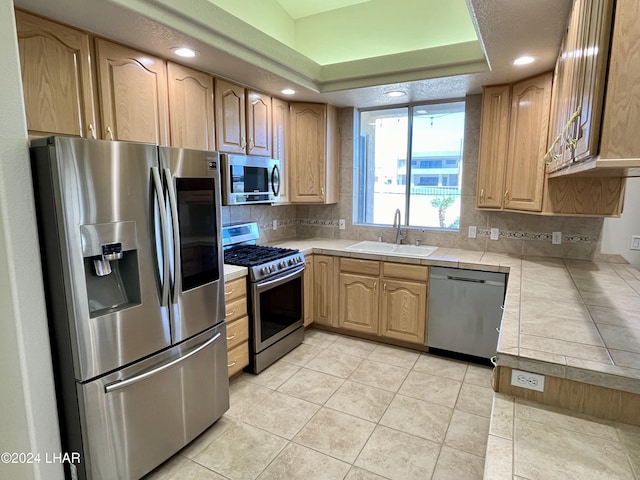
[[243, 120]]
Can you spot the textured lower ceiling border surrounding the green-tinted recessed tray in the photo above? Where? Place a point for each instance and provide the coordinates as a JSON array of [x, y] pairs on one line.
[[232, 49]]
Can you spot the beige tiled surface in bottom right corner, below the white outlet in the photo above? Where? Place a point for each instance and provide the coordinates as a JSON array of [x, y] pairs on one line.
[[536, 442]]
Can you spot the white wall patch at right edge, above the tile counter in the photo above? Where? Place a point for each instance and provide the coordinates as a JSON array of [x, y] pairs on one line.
[[616, 232]]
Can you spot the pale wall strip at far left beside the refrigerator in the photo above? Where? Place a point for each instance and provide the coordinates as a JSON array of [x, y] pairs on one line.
[[28, 416]]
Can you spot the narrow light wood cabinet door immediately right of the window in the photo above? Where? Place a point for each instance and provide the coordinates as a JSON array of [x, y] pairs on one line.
[[494, 139]]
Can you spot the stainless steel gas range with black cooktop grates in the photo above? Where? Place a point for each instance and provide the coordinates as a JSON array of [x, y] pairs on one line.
[[275, 283]]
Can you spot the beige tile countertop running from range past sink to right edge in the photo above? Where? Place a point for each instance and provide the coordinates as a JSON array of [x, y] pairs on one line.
[[567, 318]]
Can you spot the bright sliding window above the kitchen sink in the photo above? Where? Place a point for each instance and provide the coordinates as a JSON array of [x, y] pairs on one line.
[[422, 143]]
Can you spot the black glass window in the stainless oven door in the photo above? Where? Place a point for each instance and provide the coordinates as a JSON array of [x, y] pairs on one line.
[[280, 307]]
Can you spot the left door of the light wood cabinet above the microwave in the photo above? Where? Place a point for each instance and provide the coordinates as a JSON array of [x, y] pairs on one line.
[[231, 135]]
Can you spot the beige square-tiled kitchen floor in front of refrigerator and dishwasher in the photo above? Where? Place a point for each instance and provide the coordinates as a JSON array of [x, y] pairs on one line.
[[342, 408]]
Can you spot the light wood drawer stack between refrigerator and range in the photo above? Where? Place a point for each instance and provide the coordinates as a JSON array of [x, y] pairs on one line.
[[235, 295]]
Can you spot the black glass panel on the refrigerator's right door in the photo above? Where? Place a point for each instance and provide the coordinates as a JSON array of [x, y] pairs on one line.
[[198, 236]]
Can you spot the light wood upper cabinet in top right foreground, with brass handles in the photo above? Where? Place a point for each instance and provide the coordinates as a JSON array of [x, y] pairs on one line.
[[598, 103]]
